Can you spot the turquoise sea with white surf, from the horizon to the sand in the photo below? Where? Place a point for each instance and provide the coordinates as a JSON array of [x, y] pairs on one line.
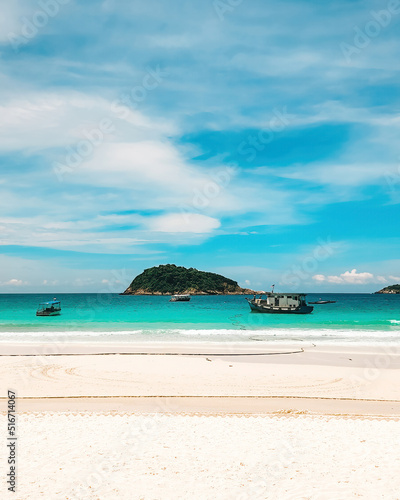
[[359, 318]]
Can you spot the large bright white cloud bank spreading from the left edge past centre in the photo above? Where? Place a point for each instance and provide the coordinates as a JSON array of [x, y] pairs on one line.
[[136, 167]]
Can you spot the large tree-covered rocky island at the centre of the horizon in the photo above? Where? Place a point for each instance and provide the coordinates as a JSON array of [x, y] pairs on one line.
[[170, 280]]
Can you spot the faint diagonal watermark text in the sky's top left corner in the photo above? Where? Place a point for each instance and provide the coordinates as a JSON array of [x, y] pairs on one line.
[[31, 26]]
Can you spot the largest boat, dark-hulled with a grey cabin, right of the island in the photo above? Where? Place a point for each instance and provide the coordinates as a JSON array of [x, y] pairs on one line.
[[281, 303]]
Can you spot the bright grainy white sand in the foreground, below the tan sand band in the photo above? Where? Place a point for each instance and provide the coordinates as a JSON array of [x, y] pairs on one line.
[[65, 455]]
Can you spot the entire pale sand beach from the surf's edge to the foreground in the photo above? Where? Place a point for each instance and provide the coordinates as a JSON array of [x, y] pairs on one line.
[[204, 421]]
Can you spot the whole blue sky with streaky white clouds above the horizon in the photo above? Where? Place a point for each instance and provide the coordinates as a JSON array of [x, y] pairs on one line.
[[254, 139]]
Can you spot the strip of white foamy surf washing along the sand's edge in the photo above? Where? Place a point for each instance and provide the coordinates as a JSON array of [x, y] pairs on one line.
[[327, 337]]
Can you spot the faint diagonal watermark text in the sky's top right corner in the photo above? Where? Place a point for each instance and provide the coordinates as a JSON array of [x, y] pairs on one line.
[[372, 29]]
